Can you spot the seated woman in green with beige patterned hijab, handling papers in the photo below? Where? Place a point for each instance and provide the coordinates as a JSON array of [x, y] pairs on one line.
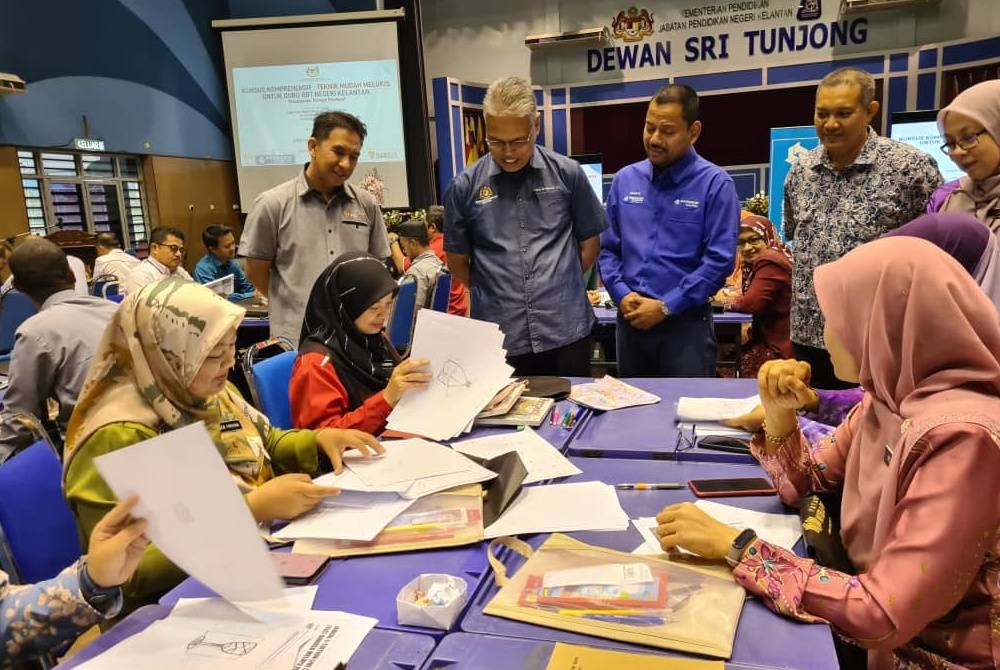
[[163, 364]]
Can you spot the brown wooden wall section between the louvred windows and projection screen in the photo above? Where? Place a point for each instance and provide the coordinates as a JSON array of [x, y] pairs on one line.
[[191, 194]]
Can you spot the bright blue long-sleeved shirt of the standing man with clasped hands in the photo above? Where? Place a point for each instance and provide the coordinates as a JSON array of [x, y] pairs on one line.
[[672, 233]]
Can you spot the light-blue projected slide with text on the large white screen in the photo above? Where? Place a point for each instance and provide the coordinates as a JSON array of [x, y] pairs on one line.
[[276, 105]]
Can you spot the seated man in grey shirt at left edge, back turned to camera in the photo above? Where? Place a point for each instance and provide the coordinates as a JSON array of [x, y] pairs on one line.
[[52, 349]]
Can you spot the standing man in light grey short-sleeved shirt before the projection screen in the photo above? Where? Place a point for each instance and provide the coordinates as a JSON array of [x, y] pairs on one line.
[[295, 229]]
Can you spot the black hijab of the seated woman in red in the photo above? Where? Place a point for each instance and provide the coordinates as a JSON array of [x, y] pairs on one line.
[[351, 284]]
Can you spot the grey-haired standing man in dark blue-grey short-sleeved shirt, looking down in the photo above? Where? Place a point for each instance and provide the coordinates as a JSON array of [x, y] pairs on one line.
[[521, 227]]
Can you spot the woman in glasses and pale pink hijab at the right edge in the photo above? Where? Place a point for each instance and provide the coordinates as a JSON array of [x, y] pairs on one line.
[[971, 129]]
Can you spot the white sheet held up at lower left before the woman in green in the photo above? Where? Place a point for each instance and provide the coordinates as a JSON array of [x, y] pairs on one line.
[[196, 515]]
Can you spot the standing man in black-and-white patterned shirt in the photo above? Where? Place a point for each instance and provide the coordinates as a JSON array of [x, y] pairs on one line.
[[853, 188]]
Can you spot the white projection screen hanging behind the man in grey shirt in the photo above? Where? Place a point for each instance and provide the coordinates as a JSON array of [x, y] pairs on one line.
[[280, 78]]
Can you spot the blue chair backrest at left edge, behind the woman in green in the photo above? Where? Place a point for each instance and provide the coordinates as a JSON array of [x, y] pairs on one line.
[[38, 534]]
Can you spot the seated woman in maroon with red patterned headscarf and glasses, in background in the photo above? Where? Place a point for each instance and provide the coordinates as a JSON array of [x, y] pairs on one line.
[[766, 293]]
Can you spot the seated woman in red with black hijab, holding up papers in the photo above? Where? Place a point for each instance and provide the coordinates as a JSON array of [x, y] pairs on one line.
[[344, 376]]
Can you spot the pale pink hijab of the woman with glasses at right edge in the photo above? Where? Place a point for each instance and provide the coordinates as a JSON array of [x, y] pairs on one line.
[[981, 103]]
